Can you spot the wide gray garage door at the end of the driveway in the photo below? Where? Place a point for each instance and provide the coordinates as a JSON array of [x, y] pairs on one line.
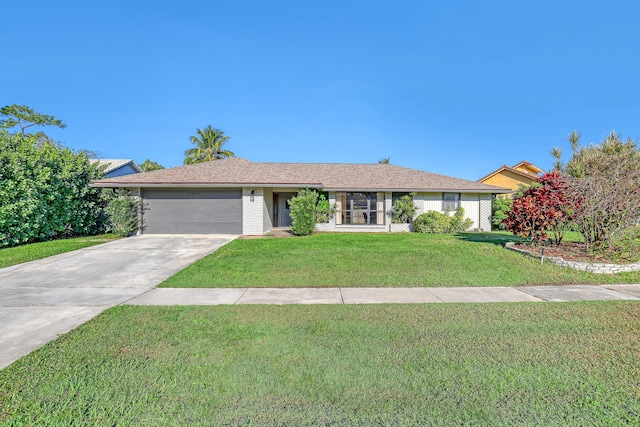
[[193, 211]]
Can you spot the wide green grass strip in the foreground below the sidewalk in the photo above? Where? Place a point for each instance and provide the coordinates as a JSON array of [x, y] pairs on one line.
[[570, 364]]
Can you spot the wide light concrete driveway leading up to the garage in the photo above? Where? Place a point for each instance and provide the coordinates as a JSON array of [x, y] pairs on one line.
[[40, 300]]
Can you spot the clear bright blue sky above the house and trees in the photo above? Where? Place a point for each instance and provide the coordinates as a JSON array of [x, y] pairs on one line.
[[453, 87]]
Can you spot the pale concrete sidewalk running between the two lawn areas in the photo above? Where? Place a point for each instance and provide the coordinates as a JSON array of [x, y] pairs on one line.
[[166, 296]]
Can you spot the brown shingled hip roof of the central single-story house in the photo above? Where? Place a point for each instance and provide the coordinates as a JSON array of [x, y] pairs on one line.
[[236, 172]]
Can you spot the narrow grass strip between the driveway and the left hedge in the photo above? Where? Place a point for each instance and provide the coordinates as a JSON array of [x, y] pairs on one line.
[[34, 251]]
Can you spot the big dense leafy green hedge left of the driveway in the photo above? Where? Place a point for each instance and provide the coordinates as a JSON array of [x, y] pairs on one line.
[[45, 192]]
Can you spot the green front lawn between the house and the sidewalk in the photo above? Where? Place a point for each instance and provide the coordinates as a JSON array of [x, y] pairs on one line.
[[378, 260]]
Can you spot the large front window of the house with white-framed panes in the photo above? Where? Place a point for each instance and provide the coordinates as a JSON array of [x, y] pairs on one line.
[[360, 208]]
